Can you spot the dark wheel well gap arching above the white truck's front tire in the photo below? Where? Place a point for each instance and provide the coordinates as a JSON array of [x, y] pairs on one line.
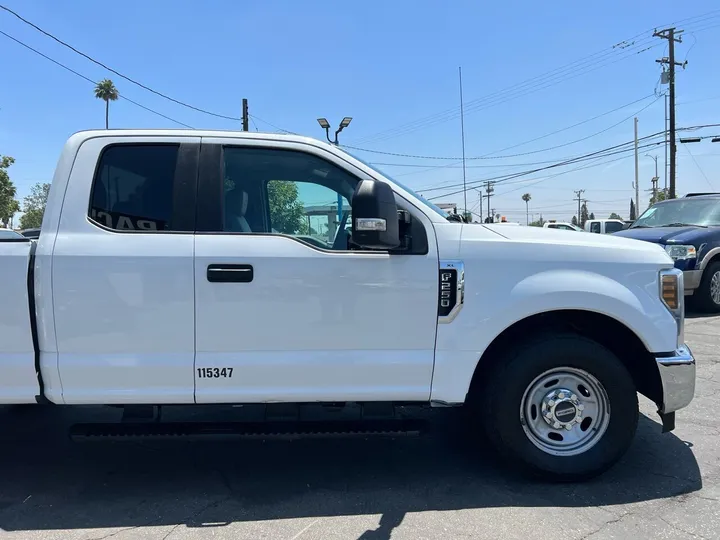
[[610, 333]]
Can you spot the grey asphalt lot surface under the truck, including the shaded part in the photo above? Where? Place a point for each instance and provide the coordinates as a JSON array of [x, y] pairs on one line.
[[435, 486]]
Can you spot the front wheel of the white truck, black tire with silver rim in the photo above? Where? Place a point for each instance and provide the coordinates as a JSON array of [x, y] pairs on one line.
[[525, 442]]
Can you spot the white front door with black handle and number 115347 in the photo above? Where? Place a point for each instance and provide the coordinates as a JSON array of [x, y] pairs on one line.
[[285, 311]]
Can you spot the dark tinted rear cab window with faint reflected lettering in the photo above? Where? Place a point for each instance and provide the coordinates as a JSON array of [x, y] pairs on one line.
[[133, 187]]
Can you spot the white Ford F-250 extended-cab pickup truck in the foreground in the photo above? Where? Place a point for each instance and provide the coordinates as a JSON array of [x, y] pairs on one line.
[[208, 267]]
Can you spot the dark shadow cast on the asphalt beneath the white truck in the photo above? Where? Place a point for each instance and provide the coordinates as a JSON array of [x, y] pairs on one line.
[[50, 483]]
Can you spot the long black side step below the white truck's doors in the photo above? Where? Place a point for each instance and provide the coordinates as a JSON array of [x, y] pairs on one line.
[[242, 430]]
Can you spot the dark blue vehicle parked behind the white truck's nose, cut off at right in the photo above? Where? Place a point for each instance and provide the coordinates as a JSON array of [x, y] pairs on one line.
[[689, 230]]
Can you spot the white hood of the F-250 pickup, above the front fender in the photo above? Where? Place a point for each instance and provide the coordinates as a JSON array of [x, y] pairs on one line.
[[573, 245]]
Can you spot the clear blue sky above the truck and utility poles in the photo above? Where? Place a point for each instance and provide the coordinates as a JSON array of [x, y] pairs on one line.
[[529, 69]]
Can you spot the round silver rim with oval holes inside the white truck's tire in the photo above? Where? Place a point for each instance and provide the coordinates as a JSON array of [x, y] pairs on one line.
[[566, 411]]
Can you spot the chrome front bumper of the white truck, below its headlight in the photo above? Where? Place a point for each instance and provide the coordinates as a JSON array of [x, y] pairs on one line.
[[677, 375]]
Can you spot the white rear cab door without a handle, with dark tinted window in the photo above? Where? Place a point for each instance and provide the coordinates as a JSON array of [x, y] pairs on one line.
[[122, 270]]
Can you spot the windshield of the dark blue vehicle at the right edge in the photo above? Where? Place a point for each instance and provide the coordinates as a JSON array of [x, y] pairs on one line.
[[679, 212]]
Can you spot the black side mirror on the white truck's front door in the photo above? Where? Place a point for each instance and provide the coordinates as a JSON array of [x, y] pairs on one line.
[[375, 216]]
